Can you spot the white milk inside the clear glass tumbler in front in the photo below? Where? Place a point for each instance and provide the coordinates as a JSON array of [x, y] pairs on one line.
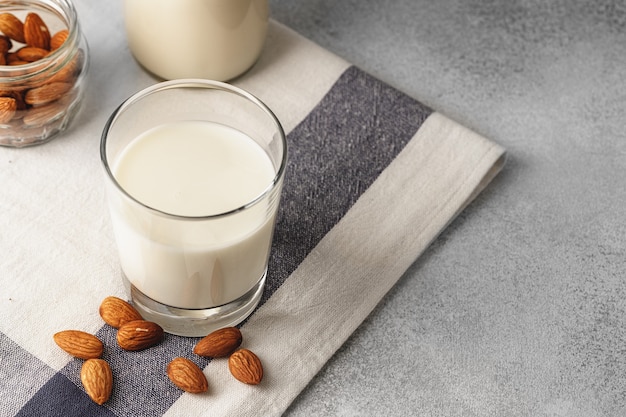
[[193, 169]]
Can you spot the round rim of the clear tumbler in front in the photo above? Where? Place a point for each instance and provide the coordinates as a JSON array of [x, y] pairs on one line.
[[201, 83]]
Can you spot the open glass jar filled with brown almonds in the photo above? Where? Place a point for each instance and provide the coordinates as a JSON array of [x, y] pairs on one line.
[[43, 65]]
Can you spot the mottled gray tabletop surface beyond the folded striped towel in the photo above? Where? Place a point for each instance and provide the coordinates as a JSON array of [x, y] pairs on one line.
[[518, 309]]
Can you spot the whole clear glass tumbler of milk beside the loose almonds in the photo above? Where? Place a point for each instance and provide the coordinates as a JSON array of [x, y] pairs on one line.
[[193, 172]]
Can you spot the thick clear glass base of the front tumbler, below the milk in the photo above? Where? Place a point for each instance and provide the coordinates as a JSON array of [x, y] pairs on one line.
[[195, 322]]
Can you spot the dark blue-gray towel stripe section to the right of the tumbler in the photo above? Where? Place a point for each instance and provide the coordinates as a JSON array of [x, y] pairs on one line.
[[335, 154]]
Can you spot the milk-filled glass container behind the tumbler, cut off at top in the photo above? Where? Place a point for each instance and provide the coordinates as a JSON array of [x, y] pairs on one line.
[[213, 39]]
